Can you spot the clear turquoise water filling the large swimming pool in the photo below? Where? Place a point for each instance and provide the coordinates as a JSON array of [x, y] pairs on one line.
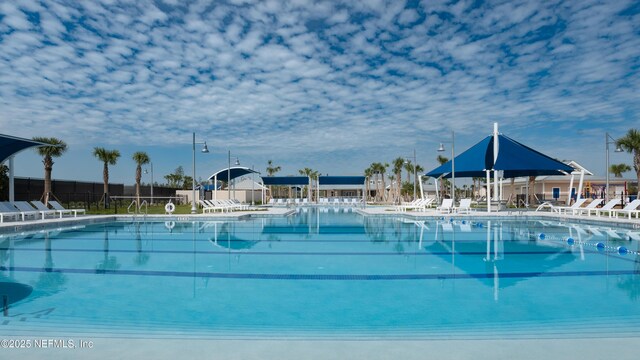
[[321, 273]]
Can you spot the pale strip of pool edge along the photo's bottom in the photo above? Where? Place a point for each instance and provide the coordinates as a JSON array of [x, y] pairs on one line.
[[534, 349]]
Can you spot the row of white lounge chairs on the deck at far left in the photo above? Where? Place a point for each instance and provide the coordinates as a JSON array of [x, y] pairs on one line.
[[22, 210]]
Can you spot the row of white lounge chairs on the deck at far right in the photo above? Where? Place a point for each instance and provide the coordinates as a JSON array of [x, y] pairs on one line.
[[632, 208]]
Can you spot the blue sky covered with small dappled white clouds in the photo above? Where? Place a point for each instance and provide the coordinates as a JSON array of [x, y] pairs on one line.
[[329, 85]]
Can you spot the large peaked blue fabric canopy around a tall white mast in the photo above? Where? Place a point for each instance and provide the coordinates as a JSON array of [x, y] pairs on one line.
[[514, 159]]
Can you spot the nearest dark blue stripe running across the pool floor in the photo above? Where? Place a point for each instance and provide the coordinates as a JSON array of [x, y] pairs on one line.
[[325, 277]]
